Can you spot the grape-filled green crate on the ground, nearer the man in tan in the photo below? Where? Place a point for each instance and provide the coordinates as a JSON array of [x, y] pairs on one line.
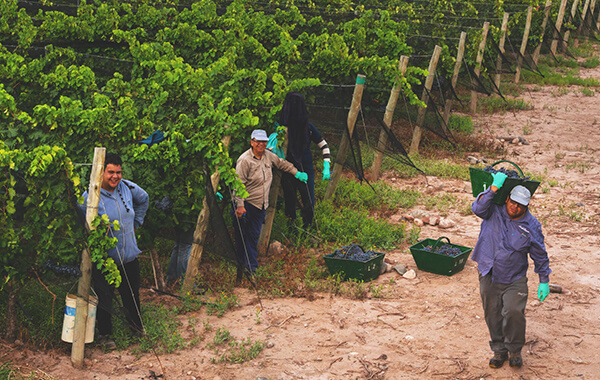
[[352, 262]]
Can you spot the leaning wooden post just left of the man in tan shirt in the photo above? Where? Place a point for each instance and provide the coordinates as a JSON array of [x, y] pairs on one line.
[[201, 230]]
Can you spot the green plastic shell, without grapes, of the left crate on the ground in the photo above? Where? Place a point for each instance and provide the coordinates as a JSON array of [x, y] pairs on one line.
[[358, 270]]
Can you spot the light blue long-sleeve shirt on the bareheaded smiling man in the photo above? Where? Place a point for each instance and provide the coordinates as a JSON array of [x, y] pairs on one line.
[[128, 204]]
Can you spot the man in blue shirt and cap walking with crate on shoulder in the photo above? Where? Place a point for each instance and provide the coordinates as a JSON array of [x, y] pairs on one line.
[[508, 233]]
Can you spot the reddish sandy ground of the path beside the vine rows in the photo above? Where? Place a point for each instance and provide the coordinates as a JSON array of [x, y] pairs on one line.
[[431, 326]]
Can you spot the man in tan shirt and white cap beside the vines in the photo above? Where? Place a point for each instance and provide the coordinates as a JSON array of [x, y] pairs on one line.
[[254, 168]]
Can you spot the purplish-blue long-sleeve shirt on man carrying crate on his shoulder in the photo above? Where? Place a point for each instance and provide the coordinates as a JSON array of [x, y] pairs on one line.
[[504, 243]]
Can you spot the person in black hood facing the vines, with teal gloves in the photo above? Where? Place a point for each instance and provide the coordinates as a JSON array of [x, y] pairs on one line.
[[294, 116]]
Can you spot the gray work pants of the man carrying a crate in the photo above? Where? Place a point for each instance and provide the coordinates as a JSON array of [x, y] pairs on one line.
[[504, 309]]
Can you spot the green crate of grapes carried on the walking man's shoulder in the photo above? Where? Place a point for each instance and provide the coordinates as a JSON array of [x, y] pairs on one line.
[[481, 179]]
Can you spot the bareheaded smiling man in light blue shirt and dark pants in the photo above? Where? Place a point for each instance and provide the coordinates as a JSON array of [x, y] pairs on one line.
[[127, 203]]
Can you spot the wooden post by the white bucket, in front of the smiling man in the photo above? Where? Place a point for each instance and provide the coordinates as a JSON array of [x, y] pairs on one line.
[[83, 286]]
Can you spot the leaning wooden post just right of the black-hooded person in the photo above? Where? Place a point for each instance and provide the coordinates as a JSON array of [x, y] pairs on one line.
[[345, 144]]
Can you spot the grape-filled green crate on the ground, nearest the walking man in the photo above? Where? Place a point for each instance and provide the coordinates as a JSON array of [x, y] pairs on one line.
[[437, 257]]
